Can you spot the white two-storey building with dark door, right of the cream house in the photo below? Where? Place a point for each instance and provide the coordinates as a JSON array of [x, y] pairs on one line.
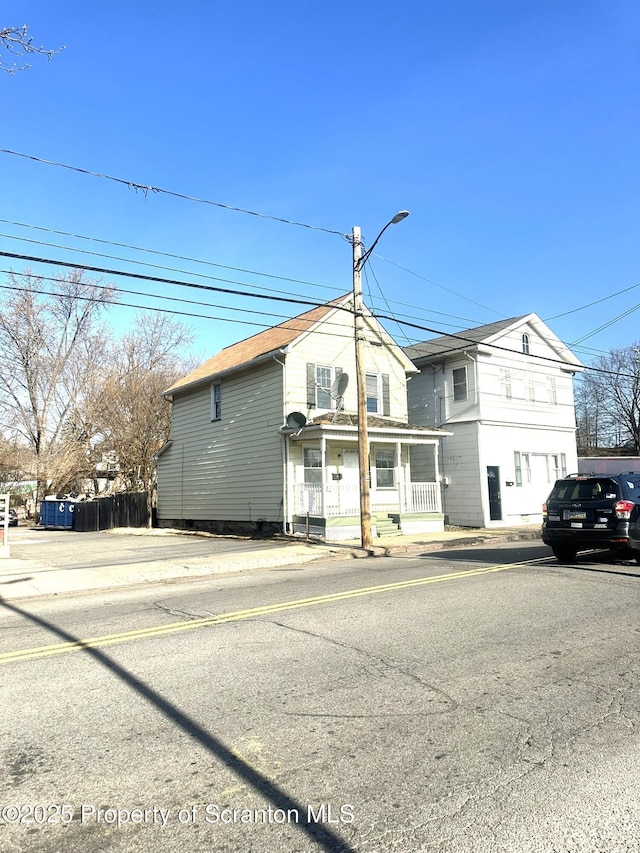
[[505, 392]]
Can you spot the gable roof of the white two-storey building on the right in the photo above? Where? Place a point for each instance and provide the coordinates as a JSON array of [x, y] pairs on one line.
[[489, 334]]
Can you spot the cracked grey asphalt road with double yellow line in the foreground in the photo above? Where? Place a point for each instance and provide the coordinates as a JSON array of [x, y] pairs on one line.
[[470, 701]]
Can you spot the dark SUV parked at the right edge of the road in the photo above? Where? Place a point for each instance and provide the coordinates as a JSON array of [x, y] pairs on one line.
[[593, 511]]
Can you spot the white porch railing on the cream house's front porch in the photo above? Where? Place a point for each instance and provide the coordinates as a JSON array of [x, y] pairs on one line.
[[341, 499]]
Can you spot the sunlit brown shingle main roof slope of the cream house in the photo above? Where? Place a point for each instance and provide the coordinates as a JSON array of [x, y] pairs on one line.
[[271, 341]]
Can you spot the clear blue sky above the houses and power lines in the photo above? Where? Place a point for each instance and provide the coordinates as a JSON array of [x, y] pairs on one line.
[[510, 130]]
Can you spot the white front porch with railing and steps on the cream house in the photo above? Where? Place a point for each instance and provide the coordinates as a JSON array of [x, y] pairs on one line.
[[405, 492]]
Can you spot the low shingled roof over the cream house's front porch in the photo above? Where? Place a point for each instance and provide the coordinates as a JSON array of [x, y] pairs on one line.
[[345, 426]]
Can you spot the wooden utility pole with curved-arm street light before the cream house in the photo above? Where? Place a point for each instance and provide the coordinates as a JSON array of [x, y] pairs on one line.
[[359, 260]]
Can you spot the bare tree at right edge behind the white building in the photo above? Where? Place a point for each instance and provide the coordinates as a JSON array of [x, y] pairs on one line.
[[608, 402]]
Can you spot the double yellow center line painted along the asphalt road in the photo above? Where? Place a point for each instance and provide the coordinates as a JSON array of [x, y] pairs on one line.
[[250, 613]]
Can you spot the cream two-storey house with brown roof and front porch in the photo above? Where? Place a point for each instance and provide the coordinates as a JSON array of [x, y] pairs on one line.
[[264, 435]]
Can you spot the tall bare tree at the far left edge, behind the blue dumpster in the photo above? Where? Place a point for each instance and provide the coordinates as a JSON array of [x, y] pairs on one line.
[[52, 349]]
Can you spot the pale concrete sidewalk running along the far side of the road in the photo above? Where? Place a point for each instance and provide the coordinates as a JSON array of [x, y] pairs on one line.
[[27, 578]]
